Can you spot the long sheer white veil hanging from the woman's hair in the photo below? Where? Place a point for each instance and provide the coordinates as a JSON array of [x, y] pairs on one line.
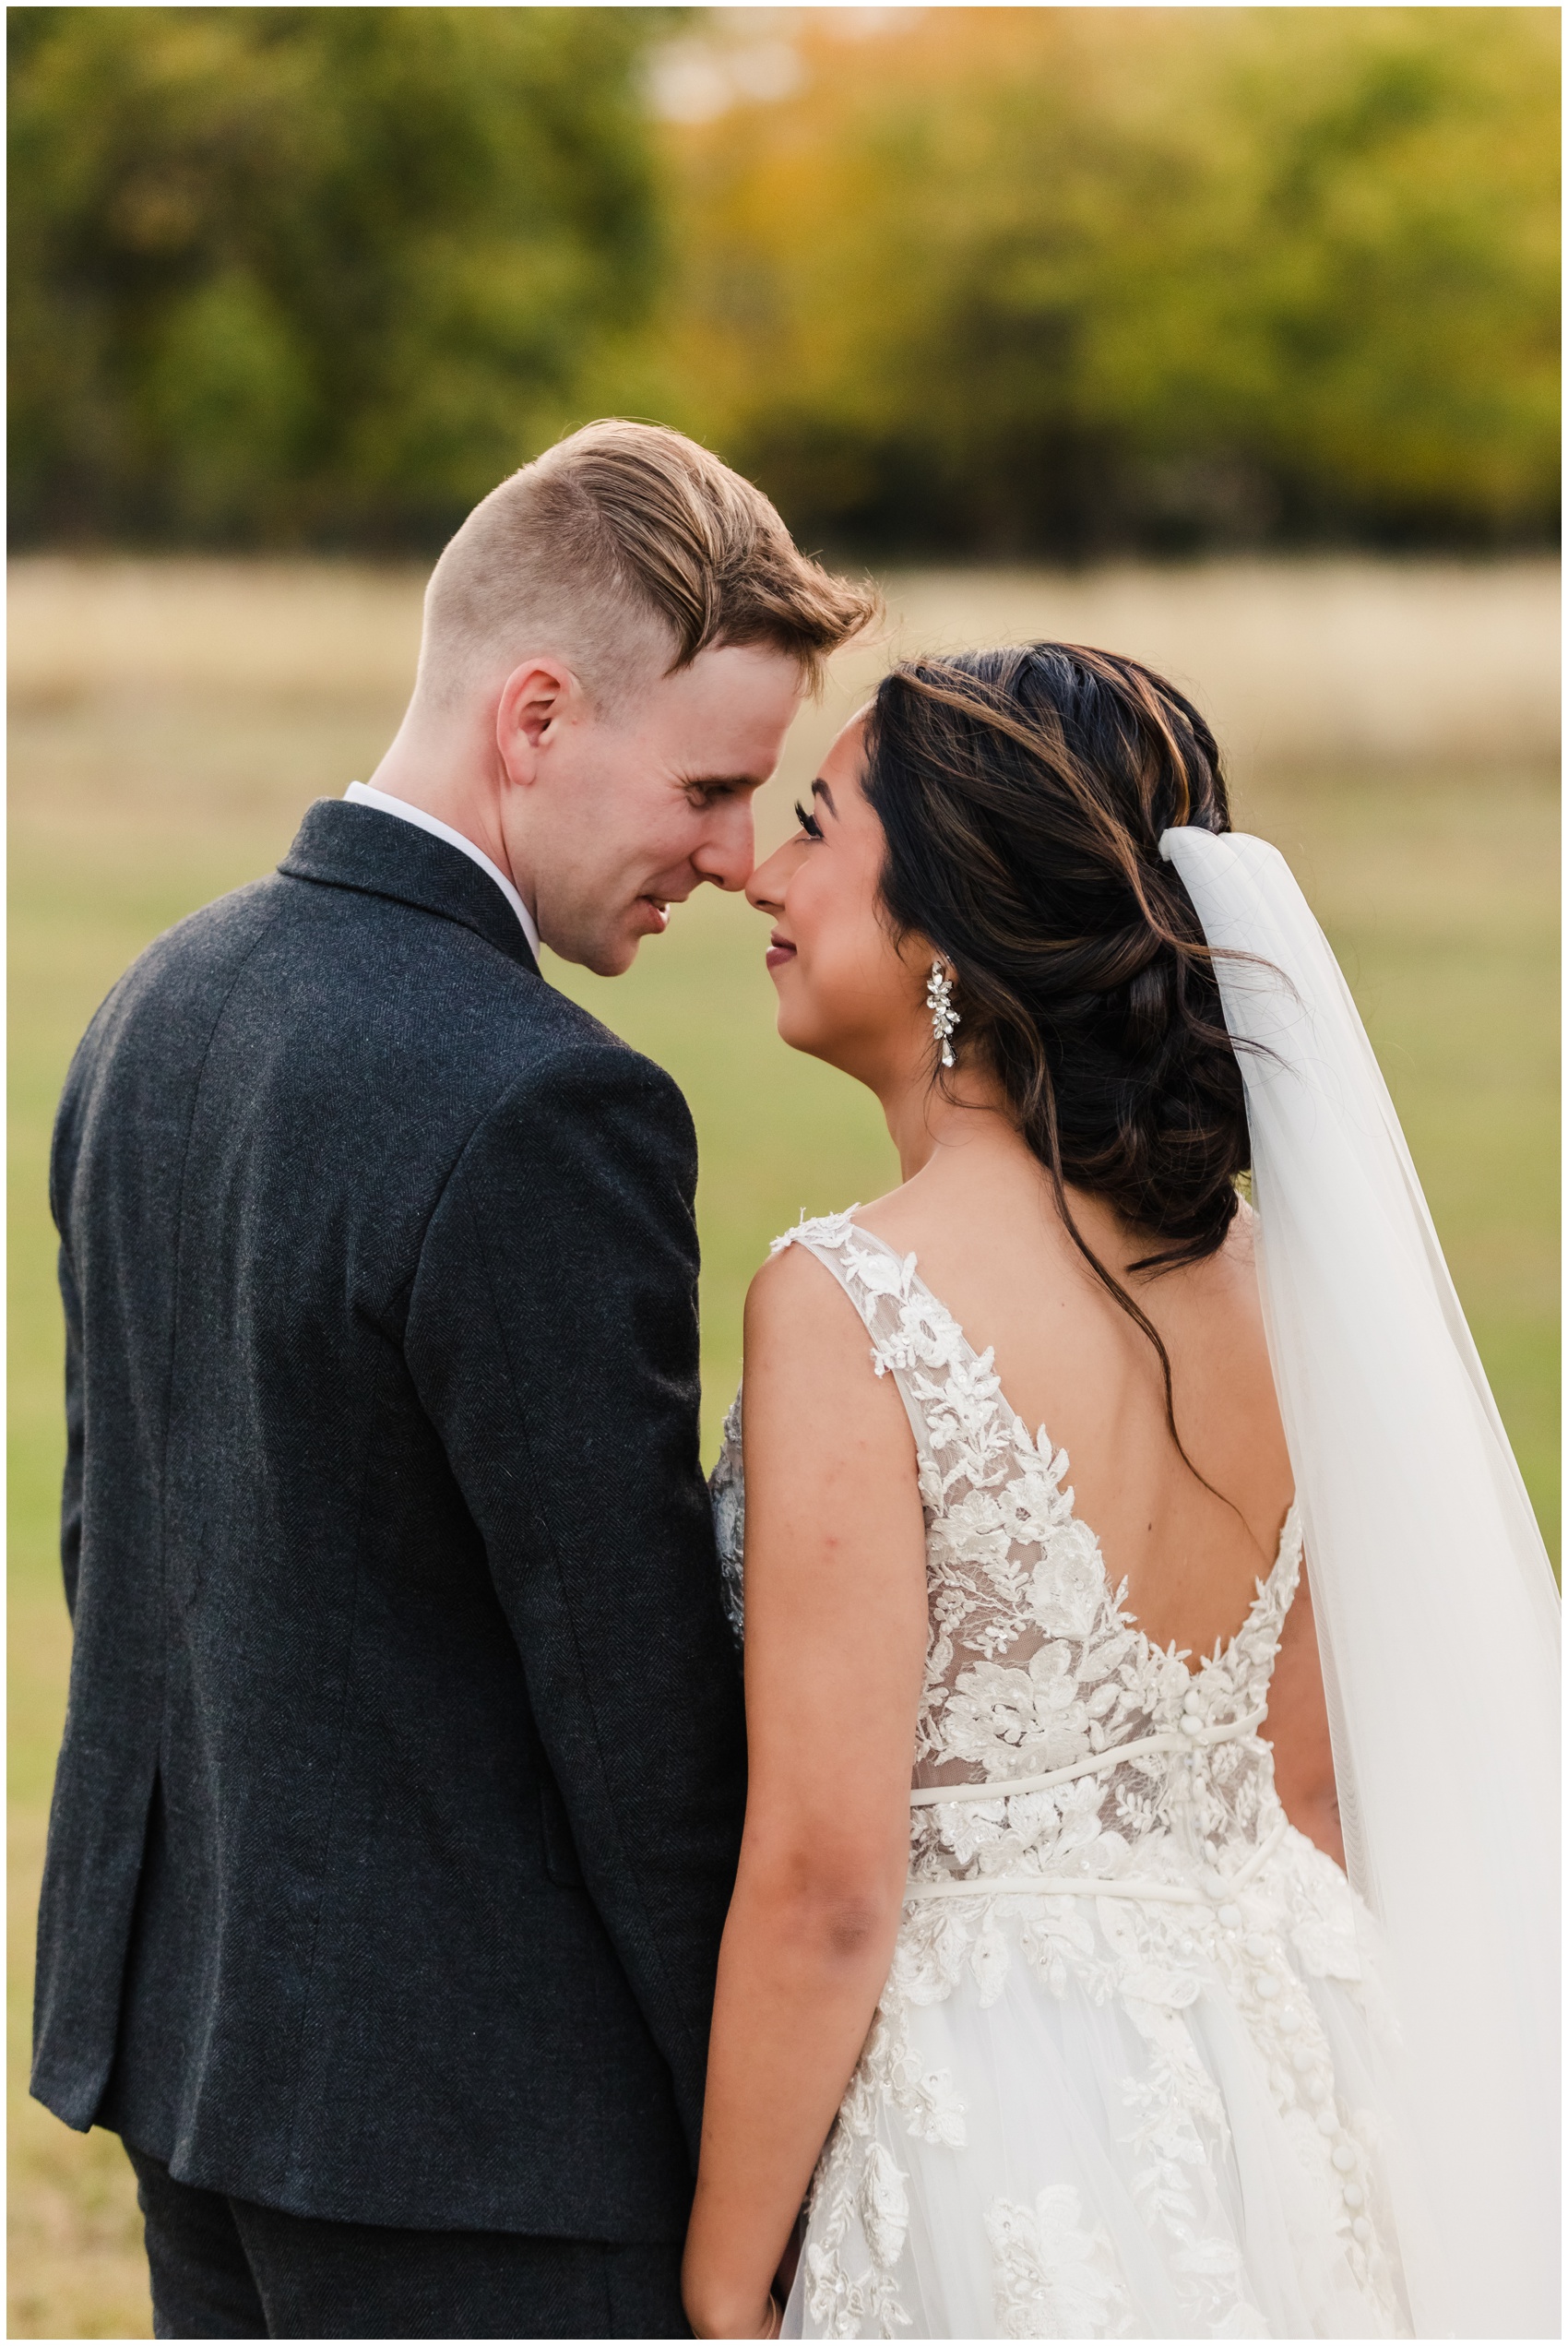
[[1436, 1615]]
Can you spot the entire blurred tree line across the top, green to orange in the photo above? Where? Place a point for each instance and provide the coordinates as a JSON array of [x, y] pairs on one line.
[[943, 280]]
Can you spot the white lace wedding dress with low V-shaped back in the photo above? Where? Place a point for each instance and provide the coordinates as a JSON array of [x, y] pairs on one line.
[[1119, 2077]]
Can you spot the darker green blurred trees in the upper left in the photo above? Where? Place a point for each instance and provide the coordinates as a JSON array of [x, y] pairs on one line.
[[313, 273]]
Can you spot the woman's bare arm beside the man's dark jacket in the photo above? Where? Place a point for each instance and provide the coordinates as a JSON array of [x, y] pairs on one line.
[[836, 1641]]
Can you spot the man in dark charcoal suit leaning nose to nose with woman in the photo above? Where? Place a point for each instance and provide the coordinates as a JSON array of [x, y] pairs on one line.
[[404, 1763]]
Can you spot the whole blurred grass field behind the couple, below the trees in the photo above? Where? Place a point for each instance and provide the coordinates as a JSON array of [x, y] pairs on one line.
[[170, 726]]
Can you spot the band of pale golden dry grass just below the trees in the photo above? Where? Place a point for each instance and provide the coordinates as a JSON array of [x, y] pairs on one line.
[[1302, 665]]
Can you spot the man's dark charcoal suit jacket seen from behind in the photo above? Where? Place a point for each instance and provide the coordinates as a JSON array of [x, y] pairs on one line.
[[404, 1765]]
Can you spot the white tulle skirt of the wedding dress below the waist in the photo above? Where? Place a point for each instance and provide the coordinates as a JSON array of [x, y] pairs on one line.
[[1091, 2117]]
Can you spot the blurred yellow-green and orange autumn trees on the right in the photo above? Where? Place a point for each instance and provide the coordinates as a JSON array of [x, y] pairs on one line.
[[1018, 280]]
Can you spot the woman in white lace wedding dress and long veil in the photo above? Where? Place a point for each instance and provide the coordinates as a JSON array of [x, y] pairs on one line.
[[1044, 1979]]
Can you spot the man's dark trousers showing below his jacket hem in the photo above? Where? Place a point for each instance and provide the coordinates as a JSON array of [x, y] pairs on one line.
[[229, 2270]]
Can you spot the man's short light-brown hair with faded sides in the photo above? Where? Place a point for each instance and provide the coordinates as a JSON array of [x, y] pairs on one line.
[[627, 548]]
